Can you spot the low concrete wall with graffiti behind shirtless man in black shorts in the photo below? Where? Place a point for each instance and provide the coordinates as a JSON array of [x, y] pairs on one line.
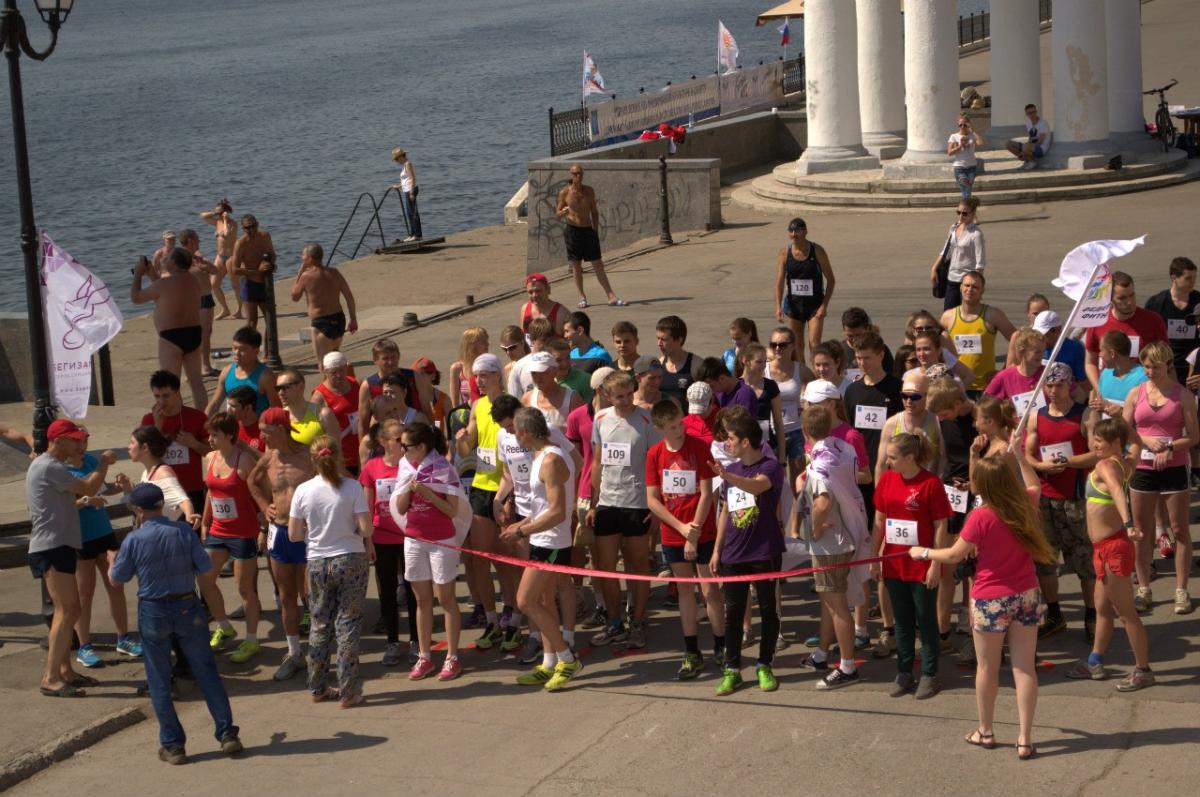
[[628, 196]]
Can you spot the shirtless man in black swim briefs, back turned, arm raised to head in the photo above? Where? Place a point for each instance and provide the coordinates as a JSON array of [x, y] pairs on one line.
[[177, 317]]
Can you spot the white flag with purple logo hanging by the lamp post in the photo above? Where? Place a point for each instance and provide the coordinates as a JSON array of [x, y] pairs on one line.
[[81, 317]]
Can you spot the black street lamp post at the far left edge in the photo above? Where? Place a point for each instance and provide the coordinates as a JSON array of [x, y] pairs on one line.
[[13, 34]]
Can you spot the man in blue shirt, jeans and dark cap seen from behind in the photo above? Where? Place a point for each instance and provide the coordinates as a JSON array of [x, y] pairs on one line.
[[166, 556]]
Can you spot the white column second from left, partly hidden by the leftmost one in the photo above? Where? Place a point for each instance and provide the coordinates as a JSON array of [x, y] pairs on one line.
[[881, 77]]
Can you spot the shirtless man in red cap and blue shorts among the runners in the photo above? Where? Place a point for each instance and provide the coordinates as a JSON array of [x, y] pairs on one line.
[[275, 477]]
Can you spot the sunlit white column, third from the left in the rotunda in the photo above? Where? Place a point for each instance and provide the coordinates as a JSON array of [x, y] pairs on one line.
[[932, 87]]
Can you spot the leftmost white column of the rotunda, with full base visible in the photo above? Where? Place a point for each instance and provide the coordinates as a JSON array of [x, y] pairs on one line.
[[835, 135]]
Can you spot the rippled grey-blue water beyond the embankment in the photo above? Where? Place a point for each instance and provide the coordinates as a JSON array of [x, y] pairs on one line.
[[149, 112]]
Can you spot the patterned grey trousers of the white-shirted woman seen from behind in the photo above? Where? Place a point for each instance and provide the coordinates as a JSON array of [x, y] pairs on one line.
[[338, 590]]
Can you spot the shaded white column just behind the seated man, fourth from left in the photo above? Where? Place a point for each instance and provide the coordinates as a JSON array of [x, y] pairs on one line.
[[1016, 68]]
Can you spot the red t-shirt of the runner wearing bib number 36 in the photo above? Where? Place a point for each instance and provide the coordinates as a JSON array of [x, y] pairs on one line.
[[921, 500]]
